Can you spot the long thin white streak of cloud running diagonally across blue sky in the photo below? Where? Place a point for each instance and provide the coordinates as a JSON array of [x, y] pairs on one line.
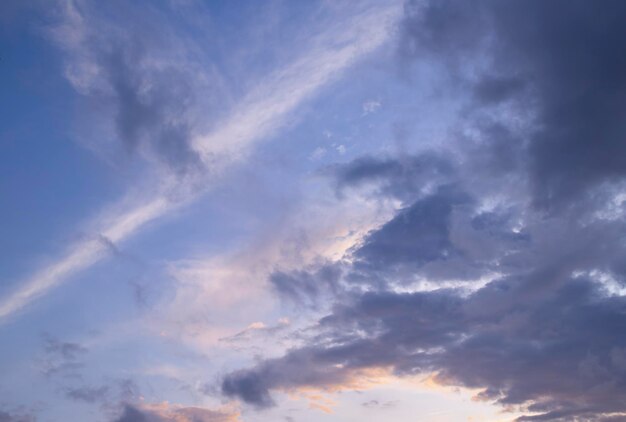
[[261, 113]]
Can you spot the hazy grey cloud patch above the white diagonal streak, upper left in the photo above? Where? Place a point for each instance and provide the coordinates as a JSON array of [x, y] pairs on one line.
[[140, 75]]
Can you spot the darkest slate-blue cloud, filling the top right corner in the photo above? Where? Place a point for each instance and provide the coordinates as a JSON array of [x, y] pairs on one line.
[[562, 61]]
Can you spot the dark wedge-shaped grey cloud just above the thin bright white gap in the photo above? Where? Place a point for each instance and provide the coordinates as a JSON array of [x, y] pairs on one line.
[[442, 235]]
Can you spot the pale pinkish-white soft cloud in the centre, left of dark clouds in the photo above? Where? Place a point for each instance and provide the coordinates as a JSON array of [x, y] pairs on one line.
[[241, 278]]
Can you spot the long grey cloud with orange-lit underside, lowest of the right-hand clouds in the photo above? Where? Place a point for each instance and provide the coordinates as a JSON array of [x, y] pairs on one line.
[[554, 354]]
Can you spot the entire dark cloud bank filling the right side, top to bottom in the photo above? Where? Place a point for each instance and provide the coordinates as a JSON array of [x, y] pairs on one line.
[[503, 269]]
